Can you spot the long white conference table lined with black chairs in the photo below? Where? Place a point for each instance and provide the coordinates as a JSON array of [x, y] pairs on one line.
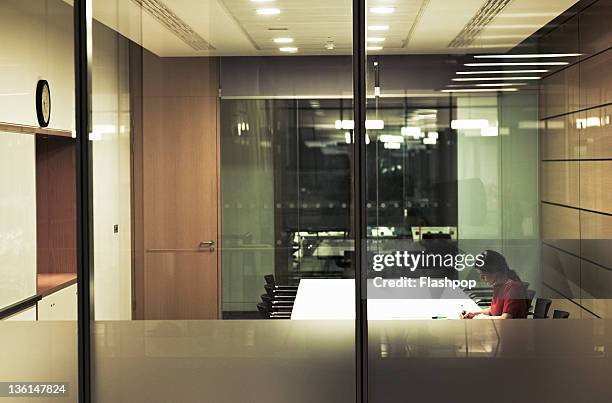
[[334, 299]]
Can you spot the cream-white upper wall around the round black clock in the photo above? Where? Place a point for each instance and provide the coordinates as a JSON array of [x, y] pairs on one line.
[[36, 44]]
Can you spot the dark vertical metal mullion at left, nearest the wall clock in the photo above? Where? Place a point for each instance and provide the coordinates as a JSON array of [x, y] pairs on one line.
[[82, 64]]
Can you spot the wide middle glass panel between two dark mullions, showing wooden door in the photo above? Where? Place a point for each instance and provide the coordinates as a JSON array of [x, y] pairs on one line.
[[217, 162]]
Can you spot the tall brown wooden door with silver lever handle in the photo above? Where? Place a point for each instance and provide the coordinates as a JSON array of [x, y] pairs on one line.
[[180, 201]]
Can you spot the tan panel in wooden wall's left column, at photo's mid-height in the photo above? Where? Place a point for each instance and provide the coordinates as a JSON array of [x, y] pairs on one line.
[[559, 182]]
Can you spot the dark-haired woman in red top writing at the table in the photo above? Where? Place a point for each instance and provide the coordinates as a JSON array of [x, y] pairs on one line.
[[509, 294]]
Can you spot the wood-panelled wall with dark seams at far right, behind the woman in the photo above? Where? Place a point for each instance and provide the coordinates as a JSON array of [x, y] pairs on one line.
[[576, 155]]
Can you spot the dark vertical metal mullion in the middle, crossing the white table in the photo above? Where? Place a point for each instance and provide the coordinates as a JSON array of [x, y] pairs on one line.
[[359, 199]]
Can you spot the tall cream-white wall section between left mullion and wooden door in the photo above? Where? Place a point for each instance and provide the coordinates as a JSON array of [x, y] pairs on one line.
[[111, 175]]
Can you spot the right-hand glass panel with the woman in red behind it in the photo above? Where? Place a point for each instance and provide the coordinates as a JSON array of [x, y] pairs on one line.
[[479, 140]]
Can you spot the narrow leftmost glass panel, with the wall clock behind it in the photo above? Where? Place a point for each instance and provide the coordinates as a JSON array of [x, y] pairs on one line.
[[38, 305]]
